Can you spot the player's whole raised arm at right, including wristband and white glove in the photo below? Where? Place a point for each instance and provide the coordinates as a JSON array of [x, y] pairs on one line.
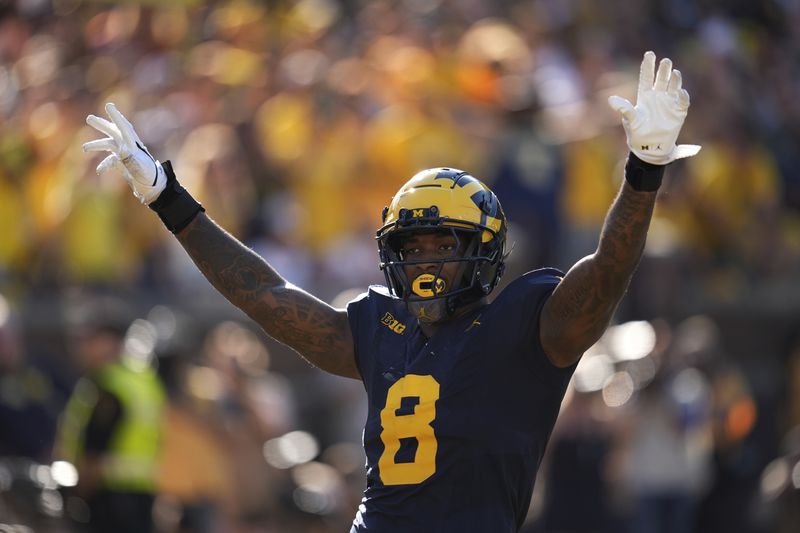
[[583, 303]]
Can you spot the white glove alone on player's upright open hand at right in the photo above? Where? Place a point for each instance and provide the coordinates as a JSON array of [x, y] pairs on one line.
[[653, 125]]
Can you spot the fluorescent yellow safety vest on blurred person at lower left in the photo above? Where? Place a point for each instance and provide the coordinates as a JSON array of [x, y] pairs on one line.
[[131, 460]]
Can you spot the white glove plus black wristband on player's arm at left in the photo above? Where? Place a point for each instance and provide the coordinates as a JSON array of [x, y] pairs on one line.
[[153, 184]]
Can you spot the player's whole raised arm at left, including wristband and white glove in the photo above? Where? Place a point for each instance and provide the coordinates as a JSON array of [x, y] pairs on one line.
[[317, 331]]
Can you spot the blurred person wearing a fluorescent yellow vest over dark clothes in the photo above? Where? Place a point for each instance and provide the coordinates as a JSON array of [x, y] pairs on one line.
[[111, 427]]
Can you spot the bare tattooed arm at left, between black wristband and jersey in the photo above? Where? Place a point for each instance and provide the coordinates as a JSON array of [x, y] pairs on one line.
[[320, 333]]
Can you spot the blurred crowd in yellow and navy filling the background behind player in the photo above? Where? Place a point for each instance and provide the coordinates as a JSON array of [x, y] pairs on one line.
[[294, 122]]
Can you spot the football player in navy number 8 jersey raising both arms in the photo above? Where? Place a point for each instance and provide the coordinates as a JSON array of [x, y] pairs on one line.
[[462, 393]]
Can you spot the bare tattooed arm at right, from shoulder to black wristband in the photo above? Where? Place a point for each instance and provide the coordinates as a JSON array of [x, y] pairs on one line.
[[582, 305]]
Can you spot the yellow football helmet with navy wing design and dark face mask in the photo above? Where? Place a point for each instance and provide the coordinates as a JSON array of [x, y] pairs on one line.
[[451, 201]]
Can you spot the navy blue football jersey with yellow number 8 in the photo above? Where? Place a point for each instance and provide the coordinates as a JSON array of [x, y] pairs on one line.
[[457, 424]]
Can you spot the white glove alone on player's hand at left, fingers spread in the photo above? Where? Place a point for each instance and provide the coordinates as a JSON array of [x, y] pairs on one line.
[[143, 173]]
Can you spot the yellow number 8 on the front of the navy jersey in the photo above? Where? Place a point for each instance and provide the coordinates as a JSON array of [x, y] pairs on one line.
[[414, 425]]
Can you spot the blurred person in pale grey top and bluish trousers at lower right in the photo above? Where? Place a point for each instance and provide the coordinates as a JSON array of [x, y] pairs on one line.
[[668, 438]]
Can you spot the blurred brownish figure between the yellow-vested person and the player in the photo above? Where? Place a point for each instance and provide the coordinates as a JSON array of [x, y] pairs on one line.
[[247, 406]]
